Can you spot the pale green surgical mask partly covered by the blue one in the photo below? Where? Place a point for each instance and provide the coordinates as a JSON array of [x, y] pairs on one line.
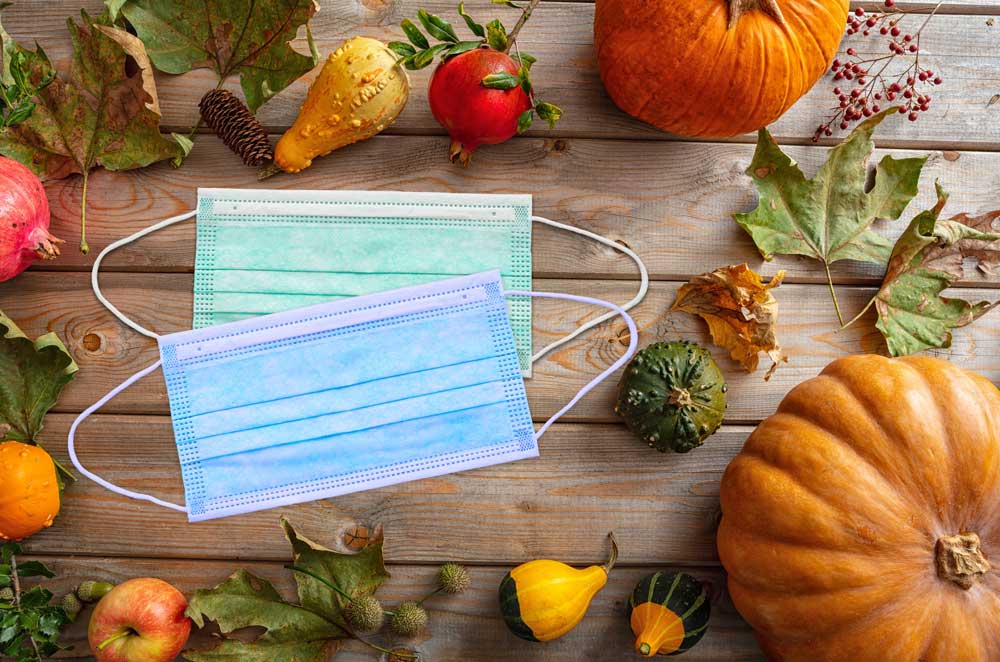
[[268, 251]]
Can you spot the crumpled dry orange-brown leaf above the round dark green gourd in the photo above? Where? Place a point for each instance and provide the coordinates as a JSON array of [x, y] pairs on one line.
[[740, 310]]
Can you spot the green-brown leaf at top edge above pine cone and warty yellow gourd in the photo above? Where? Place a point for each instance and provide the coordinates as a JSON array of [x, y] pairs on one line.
[[245, 37]]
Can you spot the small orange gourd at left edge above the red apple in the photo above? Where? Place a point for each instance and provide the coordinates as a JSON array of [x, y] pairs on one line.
[[29, 490]]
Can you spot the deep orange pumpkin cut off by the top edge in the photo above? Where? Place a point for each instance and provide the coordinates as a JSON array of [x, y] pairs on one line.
[[714, 68]]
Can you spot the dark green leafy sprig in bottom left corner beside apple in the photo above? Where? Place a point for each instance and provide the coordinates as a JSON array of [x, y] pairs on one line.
[[29, 624]]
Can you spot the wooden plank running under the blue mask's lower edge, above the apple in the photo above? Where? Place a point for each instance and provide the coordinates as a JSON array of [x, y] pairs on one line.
[[589, 479]]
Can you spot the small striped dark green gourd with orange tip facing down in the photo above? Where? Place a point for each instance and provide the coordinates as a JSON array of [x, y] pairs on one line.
[[668, 613]]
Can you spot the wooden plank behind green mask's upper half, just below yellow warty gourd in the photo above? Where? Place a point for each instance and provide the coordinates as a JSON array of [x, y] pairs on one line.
[[667, 201]]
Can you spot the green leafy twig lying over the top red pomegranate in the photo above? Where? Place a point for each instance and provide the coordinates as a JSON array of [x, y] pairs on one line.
[[420, 53]]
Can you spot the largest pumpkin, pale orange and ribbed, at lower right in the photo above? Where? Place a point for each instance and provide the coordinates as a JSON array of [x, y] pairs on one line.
[[861, 522]]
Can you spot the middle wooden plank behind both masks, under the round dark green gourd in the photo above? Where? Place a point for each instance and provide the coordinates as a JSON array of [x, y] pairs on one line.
[[108, 352]]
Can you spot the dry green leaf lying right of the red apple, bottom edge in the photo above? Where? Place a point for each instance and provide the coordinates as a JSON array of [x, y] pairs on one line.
[[291, 632]]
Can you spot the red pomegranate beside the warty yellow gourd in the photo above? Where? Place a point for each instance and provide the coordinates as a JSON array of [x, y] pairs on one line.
[[473, 114]]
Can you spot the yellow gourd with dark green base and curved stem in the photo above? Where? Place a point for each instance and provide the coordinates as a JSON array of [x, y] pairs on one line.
[[543, 600]]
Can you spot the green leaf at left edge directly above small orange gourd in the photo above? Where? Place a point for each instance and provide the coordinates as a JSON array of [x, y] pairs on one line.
[[32, 374]]
